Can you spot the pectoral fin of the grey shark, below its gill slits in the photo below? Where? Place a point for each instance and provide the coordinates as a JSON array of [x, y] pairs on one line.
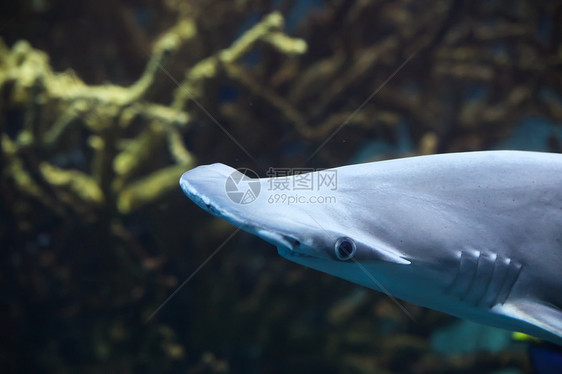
[[547, 319]]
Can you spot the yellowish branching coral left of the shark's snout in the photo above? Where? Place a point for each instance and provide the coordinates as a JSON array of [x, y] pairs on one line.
[[58, 106]]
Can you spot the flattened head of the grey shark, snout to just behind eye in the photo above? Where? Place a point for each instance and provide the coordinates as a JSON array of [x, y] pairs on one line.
[[311, 228]]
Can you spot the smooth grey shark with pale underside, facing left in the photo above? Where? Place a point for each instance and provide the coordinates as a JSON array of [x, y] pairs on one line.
[[477, 235]]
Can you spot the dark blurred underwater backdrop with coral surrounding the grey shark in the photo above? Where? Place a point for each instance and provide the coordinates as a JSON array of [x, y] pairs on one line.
[[104, 104]]
